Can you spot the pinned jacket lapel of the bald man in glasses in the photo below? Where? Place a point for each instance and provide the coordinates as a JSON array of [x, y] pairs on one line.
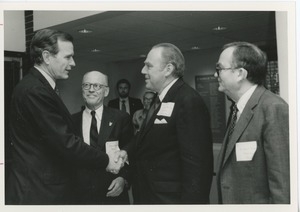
[[107, 124]]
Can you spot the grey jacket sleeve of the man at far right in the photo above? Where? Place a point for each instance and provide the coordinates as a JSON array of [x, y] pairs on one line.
[[276, 147]]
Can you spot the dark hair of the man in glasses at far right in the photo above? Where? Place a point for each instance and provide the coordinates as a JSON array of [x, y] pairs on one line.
[[251, 58]]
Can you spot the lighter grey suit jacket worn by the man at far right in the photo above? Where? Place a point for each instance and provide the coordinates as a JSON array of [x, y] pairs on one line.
[[265, 178]]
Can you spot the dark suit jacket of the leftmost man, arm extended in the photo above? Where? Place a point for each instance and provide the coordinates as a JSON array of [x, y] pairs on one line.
[[44, 145]]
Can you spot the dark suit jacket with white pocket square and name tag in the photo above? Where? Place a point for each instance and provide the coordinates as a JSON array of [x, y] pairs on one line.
[[174, 161]]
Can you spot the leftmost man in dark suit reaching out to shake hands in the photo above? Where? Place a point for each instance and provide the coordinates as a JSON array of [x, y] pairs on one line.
[[44, 144]]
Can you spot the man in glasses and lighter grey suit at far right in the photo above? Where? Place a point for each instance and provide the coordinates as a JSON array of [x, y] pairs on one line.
[[253, 165]]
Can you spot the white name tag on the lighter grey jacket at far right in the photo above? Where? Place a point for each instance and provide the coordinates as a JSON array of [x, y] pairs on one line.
[[245, 150]]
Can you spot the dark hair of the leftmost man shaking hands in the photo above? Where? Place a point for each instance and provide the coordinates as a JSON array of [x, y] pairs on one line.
[[46, 39]]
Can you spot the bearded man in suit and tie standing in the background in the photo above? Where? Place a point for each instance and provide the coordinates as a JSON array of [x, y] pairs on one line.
[[125, 102]]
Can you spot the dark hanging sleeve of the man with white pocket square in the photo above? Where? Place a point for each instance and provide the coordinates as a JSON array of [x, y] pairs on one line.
[[195, 143]]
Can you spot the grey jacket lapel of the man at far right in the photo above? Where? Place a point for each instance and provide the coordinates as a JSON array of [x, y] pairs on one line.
[[242, 123]]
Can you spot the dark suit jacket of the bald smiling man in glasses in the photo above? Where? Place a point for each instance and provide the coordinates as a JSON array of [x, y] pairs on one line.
[[92, 185]]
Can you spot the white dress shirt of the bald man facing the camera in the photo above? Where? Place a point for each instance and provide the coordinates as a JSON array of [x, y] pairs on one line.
[[86, 122]]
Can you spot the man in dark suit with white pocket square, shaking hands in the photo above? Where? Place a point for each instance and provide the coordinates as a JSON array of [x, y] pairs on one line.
[[173, 151]]
